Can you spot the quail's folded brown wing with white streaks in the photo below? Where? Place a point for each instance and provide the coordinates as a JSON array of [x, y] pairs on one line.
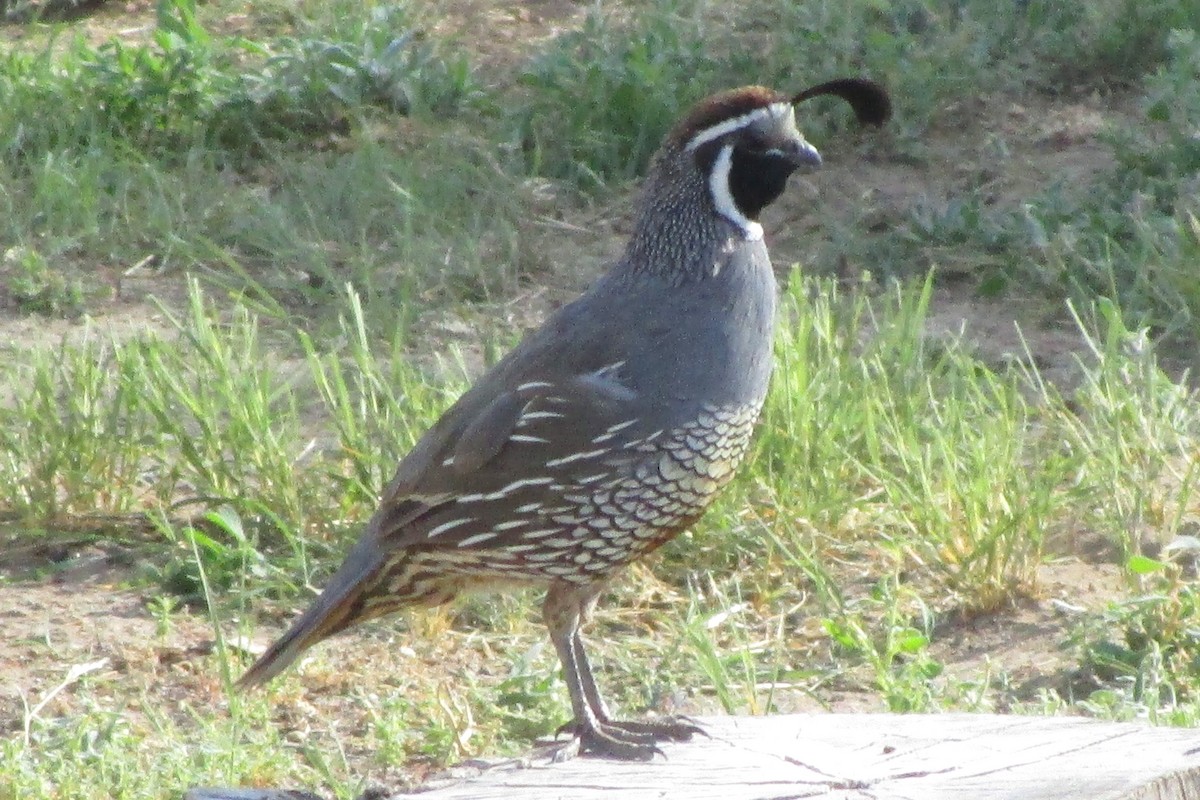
[[530, 448]]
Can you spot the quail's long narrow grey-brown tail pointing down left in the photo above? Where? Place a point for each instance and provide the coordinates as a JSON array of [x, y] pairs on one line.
[[339, 607]]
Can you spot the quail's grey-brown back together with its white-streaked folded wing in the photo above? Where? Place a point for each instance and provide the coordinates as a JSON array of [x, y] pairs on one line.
[[550, 414]]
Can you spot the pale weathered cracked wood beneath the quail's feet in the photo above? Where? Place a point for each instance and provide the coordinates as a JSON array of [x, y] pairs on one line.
[[865, 757]]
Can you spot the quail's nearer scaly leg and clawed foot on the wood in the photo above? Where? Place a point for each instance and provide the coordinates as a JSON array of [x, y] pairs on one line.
[[591, 735]]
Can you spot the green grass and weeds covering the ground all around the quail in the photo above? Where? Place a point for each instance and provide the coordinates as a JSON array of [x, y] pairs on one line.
[[310, 199]]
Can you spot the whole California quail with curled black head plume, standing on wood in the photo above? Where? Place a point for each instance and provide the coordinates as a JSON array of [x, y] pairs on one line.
[[608, 431]]
